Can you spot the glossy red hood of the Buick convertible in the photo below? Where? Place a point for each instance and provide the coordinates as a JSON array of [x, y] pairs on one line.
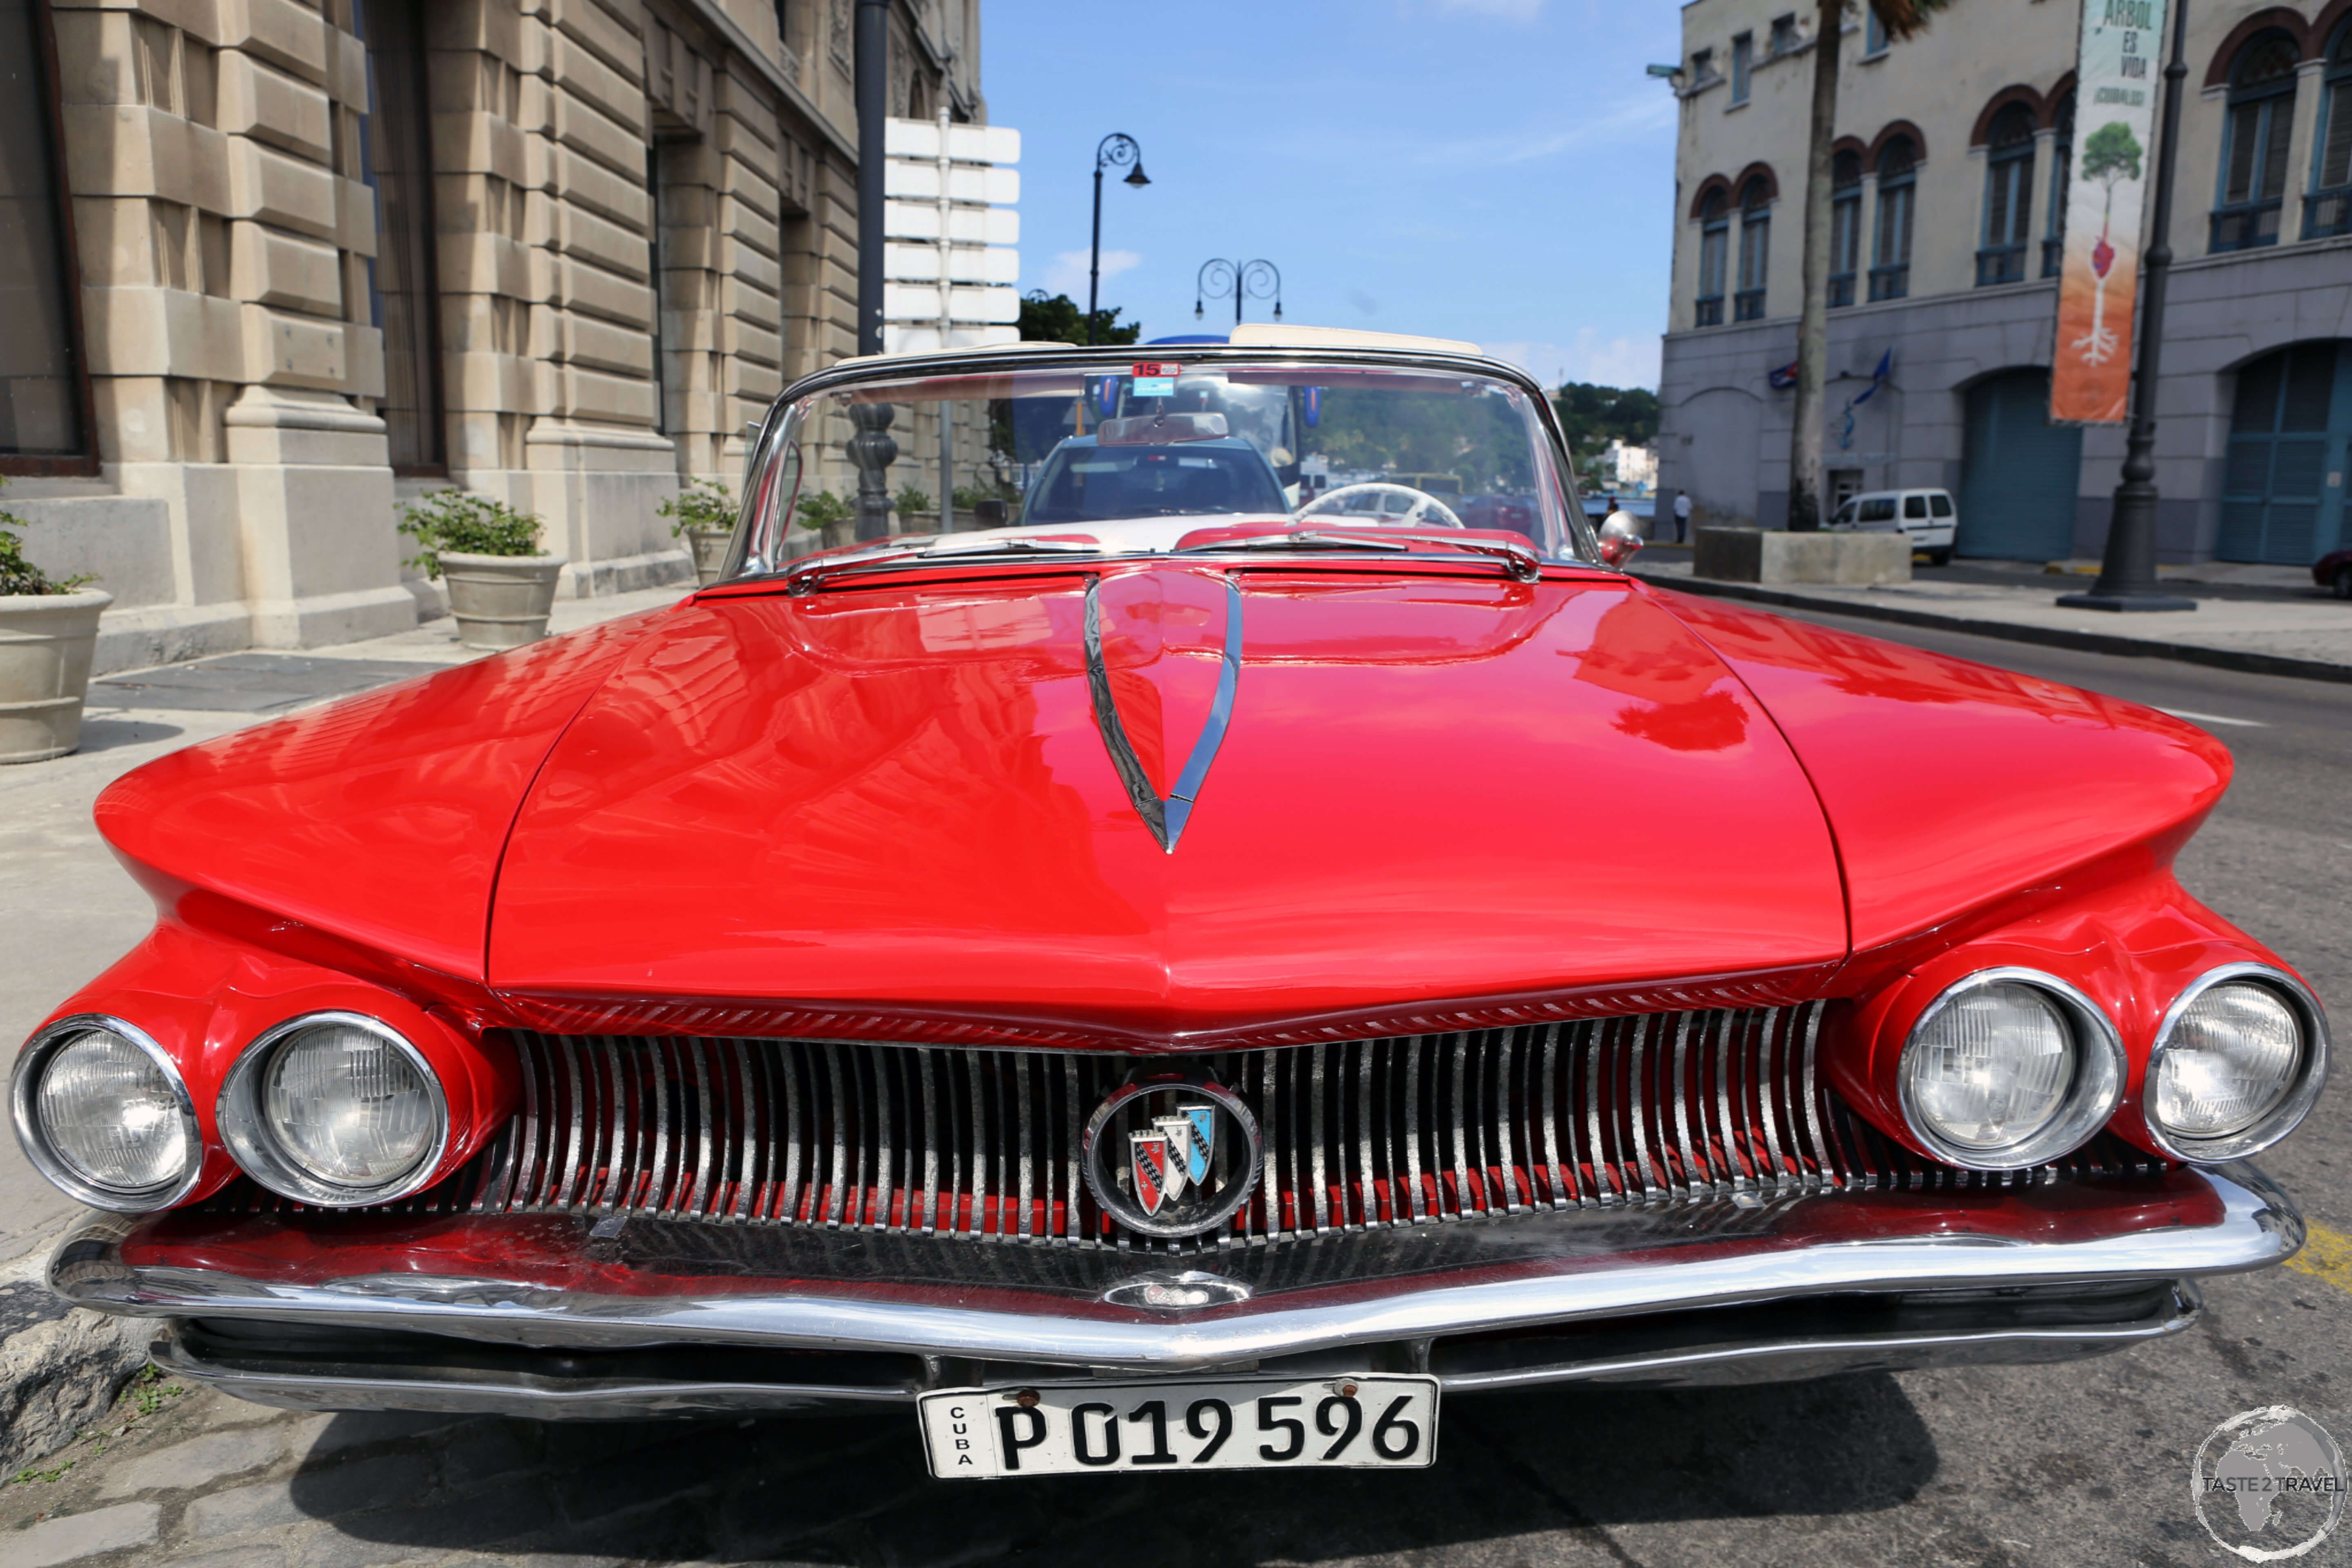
[[902, 796]]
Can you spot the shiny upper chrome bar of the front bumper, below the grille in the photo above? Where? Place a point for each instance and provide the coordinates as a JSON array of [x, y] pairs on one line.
[[1577, 1282]]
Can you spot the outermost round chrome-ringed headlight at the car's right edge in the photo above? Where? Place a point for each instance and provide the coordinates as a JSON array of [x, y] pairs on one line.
[[2238, 1064]]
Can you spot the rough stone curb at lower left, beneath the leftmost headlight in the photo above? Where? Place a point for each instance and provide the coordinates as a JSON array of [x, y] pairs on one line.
[[60, 1367]]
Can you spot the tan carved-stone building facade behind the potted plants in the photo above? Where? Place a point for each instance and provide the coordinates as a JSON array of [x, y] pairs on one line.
[[274, 267]]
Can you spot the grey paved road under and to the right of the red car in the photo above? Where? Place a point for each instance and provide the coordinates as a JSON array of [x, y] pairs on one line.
[[1998, 1466]]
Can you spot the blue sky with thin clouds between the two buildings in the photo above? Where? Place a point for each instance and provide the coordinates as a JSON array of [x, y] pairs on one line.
[[1492, 170]]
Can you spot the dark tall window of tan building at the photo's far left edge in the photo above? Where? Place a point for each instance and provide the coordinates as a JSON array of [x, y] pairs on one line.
[[44, 380]]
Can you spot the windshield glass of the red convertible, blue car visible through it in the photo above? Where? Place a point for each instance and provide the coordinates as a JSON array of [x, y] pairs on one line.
[[1125, 455]]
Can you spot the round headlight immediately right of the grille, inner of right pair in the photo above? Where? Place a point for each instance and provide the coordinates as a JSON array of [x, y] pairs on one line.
[[2010, 1068]]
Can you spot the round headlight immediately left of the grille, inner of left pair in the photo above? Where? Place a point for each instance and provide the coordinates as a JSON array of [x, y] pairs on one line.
[[338, 1111]]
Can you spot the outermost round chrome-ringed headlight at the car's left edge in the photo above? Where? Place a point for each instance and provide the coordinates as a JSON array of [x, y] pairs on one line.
[[105, 1115]]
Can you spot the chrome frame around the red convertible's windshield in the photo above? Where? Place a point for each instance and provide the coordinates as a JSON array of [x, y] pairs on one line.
[[768, 453]]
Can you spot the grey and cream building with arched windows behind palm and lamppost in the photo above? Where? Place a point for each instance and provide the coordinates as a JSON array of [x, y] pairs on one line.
[[1951, 192]]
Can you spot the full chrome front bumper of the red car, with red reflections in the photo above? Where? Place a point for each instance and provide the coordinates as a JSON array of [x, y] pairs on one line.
[[554, 1318]]
